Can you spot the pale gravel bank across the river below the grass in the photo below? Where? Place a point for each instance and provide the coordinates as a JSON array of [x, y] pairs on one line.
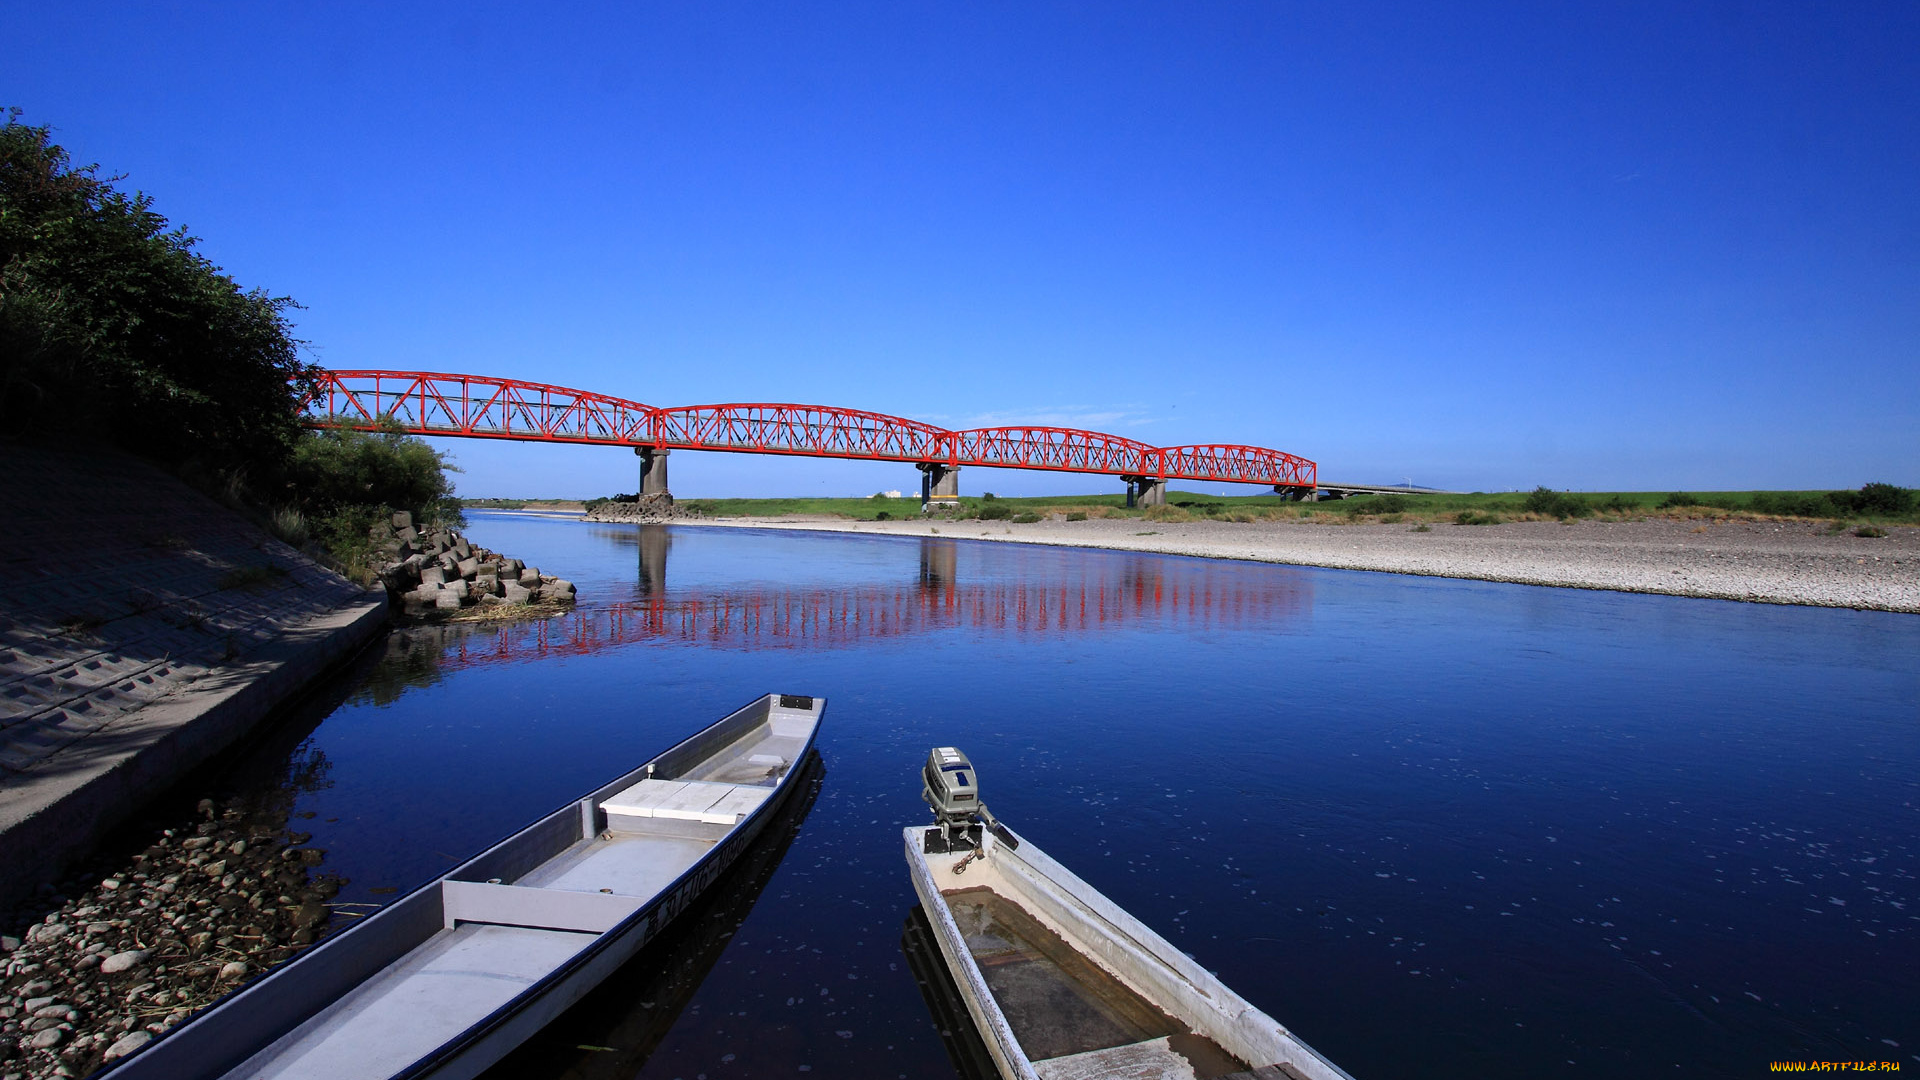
[[1765, 562]]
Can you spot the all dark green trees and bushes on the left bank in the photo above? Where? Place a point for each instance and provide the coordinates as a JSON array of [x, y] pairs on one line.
[[114, 331]]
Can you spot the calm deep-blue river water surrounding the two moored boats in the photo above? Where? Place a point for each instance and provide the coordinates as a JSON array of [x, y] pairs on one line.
[[1435, 827]]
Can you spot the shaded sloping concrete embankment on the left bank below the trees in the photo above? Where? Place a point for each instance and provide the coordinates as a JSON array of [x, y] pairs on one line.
[[143, 629]]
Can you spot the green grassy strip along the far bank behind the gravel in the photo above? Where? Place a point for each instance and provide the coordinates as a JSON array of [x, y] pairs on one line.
[[1877, 504]]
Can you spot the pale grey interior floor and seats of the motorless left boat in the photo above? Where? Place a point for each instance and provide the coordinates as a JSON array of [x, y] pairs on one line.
[[519, 912]]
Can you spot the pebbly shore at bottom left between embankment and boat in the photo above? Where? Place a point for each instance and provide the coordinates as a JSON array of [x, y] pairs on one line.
[[103, 964]]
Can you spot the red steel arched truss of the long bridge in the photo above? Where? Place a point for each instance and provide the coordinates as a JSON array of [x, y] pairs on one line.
[[475, 406]]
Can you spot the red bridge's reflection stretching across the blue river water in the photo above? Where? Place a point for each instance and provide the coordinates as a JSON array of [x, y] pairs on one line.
[[756, 618]]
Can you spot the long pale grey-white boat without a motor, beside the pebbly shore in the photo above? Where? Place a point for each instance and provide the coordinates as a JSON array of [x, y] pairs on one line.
[[448, 979]]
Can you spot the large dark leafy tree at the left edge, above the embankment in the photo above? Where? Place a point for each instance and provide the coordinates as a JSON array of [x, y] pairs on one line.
[[112, 328]]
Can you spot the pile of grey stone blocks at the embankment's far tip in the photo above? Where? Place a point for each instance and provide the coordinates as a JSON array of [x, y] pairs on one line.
[[437, 572]]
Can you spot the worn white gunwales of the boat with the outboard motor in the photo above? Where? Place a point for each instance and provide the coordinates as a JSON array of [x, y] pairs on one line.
[[1084, 918]]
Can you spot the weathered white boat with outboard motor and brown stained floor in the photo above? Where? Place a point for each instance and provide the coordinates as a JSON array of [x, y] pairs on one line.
[[1059, 981]]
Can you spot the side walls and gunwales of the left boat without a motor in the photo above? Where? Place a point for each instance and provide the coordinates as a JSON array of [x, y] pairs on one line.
[[252, 1019]]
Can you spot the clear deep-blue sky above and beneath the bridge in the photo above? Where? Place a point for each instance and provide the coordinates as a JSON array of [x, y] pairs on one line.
[[1485, 247]]
